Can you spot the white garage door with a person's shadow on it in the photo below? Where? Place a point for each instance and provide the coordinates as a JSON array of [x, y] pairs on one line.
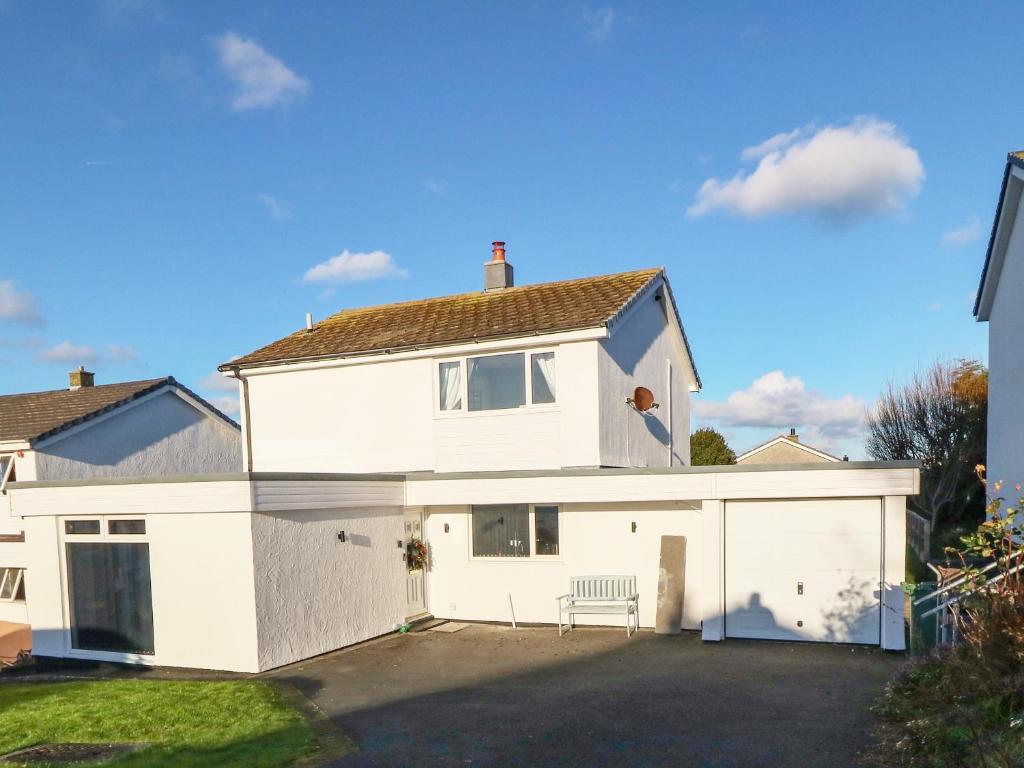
[[804, 570]]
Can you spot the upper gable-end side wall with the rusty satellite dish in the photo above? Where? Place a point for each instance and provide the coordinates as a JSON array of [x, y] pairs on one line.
[[637, 355]]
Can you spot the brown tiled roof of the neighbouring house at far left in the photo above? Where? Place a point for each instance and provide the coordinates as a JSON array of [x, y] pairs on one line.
[[35, 416]]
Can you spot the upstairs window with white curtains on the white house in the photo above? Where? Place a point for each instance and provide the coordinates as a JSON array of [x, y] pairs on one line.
[[496, 382]]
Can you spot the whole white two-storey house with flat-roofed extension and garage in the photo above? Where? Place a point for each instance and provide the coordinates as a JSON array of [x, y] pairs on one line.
[[505, 432]]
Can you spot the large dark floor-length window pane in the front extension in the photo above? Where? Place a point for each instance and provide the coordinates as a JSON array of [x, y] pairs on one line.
[[111, 598]]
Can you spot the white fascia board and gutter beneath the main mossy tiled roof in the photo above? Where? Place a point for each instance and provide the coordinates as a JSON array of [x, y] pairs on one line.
[[440, 351]]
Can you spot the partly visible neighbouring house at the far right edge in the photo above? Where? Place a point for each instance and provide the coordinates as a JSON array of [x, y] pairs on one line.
[[998, 304]]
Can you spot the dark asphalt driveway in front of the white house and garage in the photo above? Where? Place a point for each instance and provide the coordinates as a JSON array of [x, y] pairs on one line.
[[496, 697]]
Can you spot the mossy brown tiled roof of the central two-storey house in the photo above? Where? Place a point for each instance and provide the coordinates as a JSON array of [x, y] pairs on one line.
[[547, 308]]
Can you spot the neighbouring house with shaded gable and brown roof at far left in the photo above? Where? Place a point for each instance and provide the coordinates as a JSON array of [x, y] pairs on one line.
[[152, 429]]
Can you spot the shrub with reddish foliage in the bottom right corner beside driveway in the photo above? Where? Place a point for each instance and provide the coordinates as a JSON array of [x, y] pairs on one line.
[[964, 707]]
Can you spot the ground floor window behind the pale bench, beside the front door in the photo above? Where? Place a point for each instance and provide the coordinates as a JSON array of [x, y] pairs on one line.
[[515, 531]]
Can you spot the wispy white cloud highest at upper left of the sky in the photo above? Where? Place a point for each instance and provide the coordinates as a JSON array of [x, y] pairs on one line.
[[264, 80]]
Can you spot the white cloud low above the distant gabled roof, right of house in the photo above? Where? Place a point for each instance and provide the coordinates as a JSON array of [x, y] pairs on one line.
[[782, 402]]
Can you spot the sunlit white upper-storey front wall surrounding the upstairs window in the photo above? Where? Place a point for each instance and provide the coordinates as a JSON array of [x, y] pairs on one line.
[[381, 417]]
